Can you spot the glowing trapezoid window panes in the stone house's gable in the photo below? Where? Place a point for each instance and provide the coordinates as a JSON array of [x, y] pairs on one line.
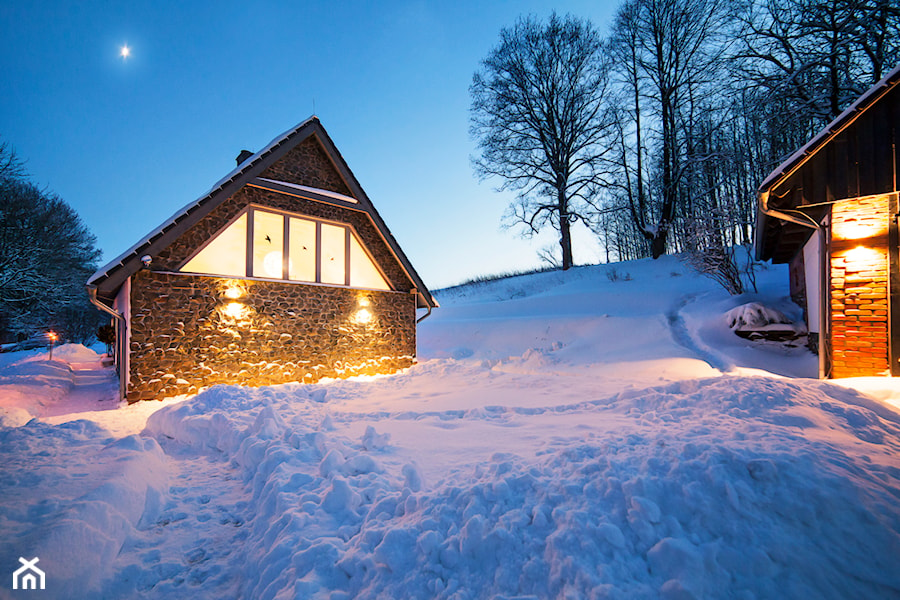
[[318, 252]]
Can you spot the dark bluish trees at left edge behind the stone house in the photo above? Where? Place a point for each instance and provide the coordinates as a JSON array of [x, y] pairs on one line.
[[46, 256]]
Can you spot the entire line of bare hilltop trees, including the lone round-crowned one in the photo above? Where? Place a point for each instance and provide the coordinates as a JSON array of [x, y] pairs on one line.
[[661, 136]]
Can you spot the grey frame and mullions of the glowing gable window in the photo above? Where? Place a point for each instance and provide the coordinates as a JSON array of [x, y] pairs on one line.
[[349, 230]]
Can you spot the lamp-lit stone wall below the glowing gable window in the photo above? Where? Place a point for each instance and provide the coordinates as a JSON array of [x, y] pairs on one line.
[[191, 332]]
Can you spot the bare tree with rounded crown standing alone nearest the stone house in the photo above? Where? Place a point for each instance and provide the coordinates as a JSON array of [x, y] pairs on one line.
[[536, 113]]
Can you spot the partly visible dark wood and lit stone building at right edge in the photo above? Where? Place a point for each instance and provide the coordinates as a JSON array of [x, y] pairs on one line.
[[830, 210]]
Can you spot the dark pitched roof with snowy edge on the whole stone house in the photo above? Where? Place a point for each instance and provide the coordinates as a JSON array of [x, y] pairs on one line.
[[109, 278]]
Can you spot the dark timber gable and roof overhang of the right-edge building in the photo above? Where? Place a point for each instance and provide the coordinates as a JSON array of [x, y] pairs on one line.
[[851, 157]]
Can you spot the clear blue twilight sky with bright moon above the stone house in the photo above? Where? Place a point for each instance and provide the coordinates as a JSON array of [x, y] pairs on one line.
[[128, 142]]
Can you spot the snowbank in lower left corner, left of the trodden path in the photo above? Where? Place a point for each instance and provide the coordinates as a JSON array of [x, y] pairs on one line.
[[71, 495]]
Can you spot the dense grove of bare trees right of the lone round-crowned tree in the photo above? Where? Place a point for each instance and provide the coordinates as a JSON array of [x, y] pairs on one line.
[[707, 98]]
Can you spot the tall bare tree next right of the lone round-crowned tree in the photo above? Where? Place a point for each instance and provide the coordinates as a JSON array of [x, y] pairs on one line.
[[667, 54]]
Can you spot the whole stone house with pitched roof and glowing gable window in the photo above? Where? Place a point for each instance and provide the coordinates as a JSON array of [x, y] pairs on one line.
[[283, 272]]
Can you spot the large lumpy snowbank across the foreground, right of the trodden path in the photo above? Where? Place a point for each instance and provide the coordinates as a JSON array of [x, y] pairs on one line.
[[720, 488]]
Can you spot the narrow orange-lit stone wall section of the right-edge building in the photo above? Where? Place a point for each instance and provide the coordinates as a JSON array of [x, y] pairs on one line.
[[859, 287]]
